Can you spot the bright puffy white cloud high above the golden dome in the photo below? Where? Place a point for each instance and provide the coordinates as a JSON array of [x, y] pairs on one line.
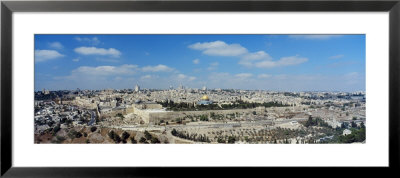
[[219, 48]]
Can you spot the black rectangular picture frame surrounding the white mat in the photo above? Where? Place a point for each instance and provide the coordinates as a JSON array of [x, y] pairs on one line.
[[8, 7]]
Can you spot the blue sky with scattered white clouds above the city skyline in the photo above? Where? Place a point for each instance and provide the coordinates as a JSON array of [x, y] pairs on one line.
[[266, 62]]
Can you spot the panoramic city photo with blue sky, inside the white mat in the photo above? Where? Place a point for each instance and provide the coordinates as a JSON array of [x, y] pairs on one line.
[[199, 89]]
